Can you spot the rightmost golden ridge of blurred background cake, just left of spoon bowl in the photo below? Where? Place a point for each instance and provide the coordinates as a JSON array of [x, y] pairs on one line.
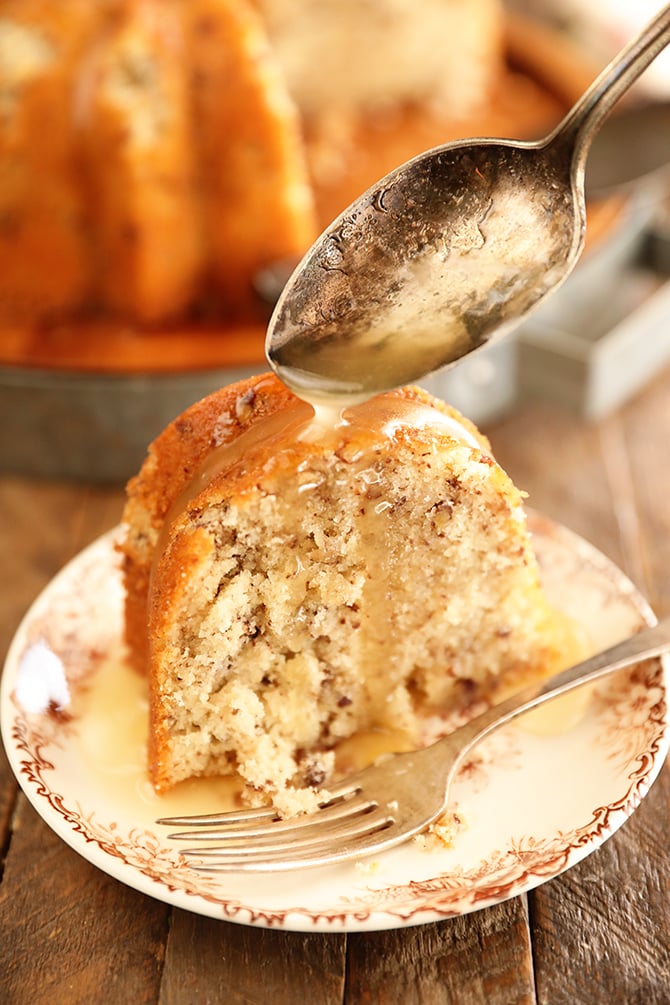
[[257, 196]]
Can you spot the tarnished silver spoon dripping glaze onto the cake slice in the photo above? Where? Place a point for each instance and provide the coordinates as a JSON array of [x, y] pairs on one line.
[[445, 254]]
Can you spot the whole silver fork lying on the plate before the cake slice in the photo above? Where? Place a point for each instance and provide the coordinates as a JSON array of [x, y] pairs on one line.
[[390, 801]]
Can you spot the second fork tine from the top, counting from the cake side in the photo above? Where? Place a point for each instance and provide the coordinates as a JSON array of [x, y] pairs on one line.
[[334, 813]]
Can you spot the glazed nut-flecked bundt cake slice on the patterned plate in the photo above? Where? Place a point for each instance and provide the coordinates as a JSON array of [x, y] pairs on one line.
[[295, 577]]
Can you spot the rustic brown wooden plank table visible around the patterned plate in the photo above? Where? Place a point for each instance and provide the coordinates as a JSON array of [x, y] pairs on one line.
[[599, 934]]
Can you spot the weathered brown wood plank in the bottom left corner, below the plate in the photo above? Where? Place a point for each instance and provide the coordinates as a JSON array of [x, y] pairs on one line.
[[69, 933]]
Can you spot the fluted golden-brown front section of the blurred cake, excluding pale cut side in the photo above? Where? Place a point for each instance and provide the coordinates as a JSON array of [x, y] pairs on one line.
[[150, 157]]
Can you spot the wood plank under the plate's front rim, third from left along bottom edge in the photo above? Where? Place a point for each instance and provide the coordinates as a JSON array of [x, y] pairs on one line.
[[481, 959]]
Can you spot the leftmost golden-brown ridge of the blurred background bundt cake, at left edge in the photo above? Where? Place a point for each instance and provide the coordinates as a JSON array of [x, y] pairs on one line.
[[45, 266]]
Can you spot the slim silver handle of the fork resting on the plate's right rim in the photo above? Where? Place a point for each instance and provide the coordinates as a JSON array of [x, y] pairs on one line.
[[646, 644]]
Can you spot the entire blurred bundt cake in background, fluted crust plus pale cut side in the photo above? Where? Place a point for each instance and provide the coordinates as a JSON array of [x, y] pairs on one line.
[[156, 155]]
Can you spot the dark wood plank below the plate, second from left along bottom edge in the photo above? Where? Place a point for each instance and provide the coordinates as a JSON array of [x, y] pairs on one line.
[[210, 961]]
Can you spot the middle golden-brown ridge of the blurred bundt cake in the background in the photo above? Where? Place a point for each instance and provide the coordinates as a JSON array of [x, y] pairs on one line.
[[139, 158]]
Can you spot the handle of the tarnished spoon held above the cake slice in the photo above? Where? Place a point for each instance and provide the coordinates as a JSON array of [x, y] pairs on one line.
[[585, 118]]
